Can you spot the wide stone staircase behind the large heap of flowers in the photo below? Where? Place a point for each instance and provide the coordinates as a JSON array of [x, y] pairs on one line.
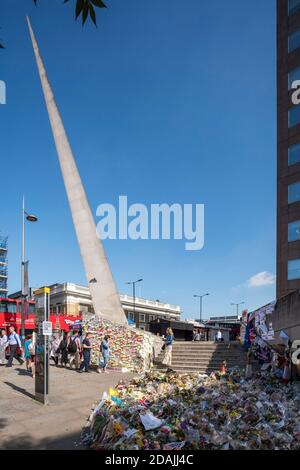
[[203, 357]]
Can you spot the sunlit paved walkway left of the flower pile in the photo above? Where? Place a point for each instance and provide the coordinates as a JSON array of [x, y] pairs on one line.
[[26, 424]]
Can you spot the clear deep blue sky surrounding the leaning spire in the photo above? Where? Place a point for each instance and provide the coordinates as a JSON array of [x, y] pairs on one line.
[[166, 101]]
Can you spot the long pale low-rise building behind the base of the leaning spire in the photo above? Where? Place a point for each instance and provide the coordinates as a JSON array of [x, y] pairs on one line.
[[74, 299]]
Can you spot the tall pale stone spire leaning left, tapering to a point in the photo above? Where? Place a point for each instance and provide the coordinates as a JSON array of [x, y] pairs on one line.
[[105, 297]]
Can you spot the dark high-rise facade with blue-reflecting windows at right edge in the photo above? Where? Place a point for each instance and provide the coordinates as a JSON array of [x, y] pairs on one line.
[[288, 147]]
